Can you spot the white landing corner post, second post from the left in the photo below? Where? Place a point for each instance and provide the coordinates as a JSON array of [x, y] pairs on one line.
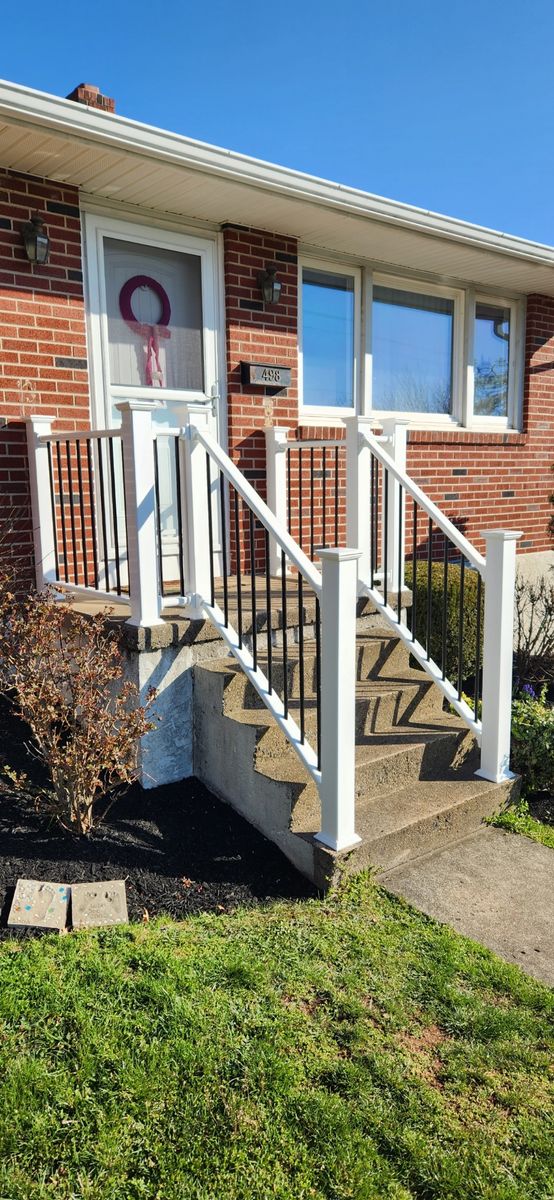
[[137, 445]]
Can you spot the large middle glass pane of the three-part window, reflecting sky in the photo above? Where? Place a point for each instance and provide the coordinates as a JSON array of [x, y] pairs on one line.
[[413, 339]]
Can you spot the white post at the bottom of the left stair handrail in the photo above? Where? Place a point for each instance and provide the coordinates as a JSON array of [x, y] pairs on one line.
[[339, 698]]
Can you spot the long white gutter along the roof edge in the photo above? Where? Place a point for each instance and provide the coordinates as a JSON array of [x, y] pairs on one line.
[[26, 106]]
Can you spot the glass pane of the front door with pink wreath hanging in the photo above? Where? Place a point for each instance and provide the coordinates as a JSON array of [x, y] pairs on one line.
[[155, 323]]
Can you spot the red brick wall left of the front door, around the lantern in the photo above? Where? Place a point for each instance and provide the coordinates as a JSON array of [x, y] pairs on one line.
[[43, 331]]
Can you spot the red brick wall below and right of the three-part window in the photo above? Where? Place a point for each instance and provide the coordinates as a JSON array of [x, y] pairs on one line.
[[501, 481]]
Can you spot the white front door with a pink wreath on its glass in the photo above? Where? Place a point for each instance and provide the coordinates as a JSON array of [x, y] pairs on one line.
[[153, 304]]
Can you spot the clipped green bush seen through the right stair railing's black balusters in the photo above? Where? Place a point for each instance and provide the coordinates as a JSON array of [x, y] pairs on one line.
[[453, 615]]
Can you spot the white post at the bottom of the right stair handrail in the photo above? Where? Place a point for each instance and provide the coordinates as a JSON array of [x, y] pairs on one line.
[[498, 653]]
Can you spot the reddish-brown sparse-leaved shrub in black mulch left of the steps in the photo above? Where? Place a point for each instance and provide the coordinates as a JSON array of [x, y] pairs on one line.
[[64, 676]]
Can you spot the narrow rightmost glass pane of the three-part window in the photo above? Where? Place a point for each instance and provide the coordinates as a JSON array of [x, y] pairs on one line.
[[491, 361]]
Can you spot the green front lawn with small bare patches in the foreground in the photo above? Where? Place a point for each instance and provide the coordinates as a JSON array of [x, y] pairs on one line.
[[333, 1049]]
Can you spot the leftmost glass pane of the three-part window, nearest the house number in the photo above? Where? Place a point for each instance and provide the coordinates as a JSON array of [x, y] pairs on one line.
[[328, 339]]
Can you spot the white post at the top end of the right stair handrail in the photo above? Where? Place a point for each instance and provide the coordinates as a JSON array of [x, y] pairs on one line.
[[359, 495]]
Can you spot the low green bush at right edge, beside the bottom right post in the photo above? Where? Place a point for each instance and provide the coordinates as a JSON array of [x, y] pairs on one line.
[[533, 742]]
